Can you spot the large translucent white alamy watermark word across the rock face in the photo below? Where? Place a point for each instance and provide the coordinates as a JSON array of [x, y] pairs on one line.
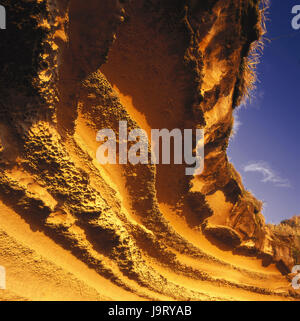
[[133, 148]]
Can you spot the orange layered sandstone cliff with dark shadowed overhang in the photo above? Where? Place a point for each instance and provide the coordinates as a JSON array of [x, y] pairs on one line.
[[72, 229]]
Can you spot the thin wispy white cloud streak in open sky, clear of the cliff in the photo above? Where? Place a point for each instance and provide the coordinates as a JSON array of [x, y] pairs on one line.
[[268, 174]]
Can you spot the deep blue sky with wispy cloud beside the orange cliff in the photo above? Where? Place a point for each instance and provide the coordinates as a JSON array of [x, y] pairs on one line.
[[266, 147]]
